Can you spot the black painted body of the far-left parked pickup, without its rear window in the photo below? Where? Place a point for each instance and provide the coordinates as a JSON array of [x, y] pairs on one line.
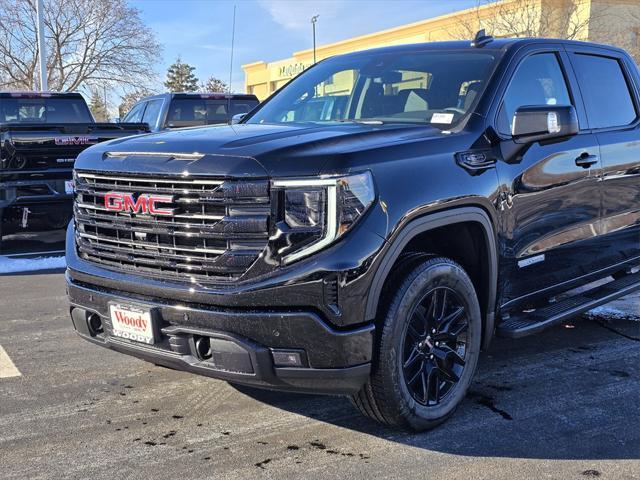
[[34, 165]]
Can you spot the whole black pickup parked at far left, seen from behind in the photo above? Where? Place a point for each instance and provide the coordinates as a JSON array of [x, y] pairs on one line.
[[40, 136]]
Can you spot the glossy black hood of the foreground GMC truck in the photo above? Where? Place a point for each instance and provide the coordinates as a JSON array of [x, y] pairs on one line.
[[249, 149]]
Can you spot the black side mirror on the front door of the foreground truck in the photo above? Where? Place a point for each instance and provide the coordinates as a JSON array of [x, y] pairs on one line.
[[541, 123]]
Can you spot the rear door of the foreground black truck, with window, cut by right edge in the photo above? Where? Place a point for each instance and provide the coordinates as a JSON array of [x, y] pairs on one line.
[[608, 89]]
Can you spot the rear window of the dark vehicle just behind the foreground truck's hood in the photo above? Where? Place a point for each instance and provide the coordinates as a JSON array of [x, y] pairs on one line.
[[189, 112]]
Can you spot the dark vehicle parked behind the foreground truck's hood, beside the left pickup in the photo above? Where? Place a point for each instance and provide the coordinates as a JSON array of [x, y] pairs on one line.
[[176, 110]]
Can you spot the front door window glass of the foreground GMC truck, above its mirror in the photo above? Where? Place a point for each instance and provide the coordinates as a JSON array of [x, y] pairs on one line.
[[538, 81]]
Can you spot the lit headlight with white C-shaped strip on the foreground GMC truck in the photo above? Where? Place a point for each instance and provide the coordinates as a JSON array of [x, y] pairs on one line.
[[313, 213]]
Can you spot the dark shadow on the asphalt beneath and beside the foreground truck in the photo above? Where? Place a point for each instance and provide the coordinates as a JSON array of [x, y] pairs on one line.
[[572, 392]]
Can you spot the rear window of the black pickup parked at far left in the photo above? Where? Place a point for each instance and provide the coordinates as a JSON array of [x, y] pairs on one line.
[[44, 110]]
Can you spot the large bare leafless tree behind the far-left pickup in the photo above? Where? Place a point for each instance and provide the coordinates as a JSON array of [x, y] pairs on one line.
[[87, 41]]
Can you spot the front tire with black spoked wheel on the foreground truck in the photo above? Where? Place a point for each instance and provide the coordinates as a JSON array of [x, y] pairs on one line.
[[427, 349]]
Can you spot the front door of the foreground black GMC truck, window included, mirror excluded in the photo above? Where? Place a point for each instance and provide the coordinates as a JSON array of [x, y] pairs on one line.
[[550, 205]]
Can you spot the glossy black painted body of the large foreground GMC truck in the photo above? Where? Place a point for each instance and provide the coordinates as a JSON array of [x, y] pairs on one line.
[[531, 200]]
